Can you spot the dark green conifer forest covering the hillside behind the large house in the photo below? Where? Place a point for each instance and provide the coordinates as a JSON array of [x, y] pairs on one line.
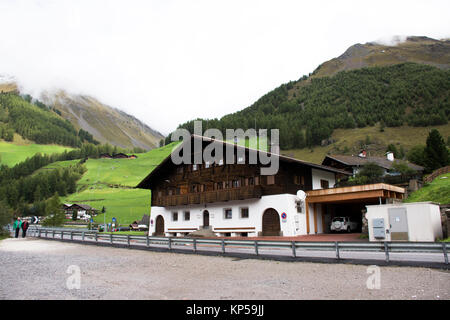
[[390, 96]]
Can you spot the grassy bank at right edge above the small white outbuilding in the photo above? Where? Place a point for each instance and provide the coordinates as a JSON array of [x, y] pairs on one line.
[[437, 191]]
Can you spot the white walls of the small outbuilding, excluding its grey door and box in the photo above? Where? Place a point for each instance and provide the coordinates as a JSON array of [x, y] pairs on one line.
[[424, 222]]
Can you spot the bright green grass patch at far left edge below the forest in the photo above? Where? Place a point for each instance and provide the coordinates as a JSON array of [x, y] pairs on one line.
[[12, 153]]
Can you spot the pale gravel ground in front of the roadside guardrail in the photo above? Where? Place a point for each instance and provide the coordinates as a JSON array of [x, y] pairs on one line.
[[37, 269]]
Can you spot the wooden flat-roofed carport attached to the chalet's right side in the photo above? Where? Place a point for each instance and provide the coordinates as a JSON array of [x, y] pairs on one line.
[[324, 204]]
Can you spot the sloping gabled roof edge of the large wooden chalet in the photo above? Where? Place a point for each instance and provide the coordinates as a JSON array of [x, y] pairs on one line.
[[207, 139]]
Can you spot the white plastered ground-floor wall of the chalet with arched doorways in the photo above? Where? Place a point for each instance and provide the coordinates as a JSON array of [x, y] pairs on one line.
[[295, 223]]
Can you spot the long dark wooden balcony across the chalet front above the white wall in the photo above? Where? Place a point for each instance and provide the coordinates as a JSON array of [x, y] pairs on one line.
[[249, 192]]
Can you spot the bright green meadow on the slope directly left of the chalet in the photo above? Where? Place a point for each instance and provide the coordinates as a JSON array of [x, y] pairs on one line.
[[110, 183]]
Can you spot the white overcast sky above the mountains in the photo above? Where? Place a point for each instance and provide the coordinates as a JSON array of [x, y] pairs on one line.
[[169, 61]]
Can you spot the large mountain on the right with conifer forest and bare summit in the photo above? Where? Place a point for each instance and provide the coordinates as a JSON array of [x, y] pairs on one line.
[[403, 85]]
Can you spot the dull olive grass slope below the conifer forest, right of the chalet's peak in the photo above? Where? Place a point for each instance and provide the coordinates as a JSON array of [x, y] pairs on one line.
[[348, 141]]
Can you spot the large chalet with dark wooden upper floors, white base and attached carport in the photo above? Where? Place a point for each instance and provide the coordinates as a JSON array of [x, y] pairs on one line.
[[234, 199]]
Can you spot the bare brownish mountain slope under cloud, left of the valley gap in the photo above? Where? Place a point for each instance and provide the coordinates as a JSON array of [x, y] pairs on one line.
[[105, 123]]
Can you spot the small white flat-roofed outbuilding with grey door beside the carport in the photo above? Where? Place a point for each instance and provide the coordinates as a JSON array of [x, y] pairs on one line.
[[416, 221]]
